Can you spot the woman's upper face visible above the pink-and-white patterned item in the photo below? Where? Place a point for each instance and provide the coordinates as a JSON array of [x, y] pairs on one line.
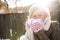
[[38, 14]]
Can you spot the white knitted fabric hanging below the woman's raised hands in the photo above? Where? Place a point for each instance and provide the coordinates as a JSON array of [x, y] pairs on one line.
[[28, 35]]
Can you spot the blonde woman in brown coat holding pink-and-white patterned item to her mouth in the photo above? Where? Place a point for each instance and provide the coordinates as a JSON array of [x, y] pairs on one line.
[[38, 31]]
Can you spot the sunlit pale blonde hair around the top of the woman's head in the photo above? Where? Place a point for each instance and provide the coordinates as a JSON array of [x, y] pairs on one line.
[[35, 7]]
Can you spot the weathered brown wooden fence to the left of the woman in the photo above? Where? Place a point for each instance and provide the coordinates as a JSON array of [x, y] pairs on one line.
[[14, 22]]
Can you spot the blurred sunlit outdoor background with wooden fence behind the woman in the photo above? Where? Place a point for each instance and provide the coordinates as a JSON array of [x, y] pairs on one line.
[[13, 14]]
